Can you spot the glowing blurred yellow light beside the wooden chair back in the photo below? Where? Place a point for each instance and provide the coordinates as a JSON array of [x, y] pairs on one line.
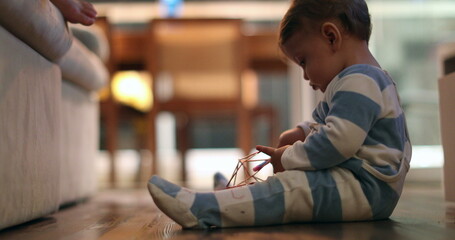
[[133, 88]]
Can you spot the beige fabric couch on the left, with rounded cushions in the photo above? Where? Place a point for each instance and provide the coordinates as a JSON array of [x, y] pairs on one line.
[[48, 110]]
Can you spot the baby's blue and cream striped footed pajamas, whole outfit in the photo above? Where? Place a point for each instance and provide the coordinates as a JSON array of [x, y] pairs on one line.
[[351, 167]]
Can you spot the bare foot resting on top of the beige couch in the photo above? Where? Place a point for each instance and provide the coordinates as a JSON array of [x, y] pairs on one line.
[[76, 11]]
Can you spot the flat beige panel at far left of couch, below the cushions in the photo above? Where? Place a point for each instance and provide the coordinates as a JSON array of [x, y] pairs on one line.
[[30, 93]]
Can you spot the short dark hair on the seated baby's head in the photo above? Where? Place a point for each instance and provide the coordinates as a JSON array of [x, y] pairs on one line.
[[353, 15]]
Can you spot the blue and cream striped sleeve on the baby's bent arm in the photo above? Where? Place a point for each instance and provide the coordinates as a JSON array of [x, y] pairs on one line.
[[353, 104]]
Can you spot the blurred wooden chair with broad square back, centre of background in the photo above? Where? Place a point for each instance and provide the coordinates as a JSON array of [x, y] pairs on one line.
[[197, 67]]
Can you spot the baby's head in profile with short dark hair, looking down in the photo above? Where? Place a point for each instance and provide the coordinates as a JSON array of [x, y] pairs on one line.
[[325, 36]]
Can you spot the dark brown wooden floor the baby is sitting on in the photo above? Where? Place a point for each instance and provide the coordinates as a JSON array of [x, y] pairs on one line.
[[131, 214]]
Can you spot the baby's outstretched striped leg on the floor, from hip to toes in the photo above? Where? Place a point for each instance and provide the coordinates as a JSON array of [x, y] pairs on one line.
[[290, 196]]
